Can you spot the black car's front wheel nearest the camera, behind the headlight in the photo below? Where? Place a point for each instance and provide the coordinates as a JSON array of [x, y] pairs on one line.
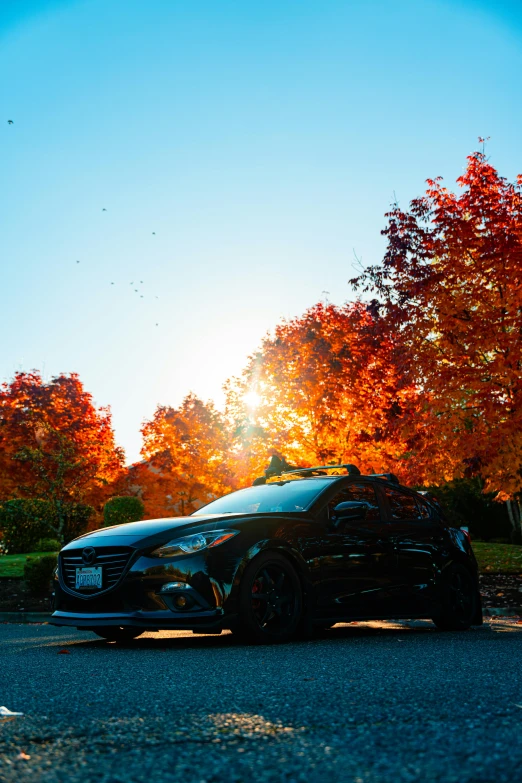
[[270, 600]]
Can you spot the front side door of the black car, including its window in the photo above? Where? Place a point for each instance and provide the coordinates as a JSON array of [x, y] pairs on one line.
[[355, 556]]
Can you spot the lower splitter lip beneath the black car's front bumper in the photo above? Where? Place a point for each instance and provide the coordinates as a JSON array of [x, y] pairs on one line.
[[156, 621]]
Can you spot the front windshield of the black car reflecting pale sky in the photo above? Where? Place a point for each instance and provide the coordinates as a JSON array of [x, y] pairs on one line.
[[282, 496]]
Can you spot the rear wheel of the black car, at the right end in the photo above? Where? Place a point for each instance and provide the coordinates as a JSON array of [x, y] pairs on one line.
[[458, 600]]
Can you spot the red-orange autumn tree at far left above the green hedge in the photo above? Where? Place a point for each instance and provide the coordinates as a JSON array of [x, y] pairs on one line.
[[54, 443]]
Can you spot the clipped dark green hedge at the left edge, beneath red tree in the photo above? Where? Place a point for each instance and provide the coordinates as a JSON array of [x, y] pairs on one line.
[[24, 522]]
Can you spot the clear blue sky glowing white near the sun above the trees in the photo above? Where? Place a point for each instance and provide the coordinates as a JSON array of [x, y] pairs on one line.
[[261, 142]]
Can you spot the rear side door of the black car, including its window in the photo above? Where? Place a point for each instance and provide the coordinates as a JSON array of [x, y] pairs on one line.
[[416, 536]]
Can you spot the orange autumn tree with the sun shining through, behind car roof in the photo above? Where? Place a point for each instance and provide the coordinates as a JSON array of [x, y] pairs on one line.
[[324, 389]]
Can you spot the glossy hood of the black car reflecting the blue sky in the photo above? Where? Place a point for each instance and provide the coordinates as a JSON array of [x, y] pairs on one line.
[[132, 532]]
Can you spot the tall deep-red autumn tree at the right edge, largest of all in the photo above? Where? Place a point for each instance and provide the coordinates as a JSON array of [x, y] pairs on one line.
[[450, 285]]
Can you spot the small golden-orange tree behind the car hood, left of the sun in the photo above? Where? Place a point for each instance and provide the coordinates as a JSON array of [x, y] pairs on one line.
[[186, 463]]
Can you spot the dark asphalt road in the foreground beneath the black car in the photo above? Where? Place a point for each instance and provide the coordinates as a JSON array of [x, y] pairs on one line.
[[365, 703]]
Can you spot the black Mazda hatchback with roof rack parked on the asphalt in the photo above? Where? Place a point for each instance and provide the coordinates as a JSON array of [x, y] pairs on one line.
[[299, 550]]
